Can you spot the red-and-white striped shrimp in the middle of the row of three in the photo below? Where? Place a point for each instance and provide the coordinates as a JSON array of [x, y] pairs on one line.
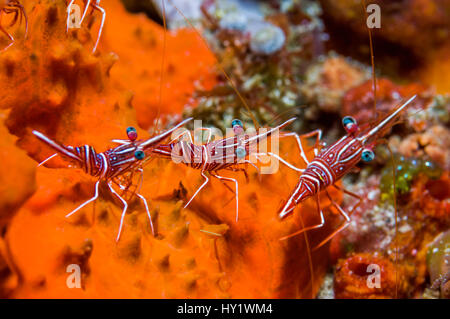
[[223, 154]]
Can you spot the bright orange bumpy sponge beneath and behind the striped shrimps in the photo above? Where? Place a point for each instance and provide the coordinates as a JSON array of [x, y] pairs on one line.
[[193, 253]]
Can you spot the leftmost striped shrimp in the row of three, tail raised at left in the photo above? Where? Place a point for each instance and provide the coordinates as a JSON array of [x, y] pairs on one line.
[[115, 166]]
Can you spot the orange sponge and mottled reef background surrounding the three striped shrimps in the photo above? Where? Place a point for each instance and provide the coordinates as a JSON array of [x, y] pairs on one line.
[[262, 62]]
